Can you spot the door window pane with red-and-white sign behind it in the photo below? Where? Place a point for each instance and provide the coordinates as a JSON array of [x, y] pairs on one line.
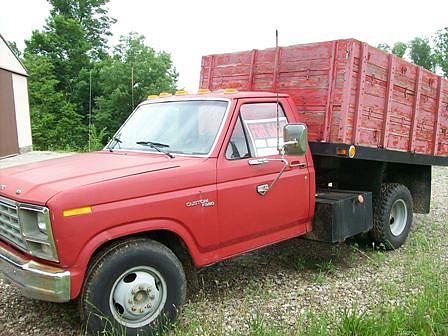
[[260, 122]]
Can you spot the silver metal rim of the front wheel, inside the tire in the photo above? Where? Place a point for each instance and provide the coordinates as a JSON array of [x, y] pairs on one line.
[[138, 296]]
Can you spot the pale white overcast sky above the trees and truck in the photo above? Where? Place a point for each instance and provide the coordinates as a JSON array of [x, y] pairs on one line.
[[190, 29]]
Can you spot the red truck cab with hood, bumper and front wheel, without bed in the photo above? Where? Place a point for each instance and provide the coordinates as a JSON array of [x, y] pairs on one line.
[[187, 181]]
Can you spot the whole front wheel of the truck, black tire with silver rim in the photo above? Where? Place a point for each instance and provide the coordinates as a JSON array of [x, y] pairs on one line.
[[135, 287]]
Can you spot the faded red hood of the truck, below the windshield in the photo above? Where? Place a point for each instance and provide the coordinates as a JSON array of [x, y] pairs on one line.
[[38, 182]]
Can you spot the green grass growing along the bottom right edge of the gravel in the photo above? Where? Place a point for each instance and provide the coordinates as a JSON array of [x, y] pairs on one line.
[[423, 314]]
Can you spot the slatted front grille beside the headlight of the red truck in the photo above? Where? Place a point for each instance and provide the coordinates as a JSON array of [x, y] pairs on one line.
[[9, 222]]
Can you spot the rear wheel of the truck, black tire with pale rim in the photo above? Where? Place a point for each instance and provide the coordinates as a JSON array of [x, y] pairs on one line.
[[392, 215]]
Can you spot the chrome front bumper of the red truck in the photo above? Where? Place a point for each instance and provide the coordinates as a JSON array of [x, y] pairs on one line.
[[35, 280]]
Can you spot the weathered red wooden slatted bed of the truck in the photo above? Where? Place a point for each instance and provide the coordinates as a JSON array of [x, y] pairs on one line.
[[347, 92]]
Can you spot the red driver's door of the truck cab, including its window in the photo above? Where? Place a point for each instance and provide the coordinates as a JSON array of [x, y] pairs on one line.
[[248, 219]]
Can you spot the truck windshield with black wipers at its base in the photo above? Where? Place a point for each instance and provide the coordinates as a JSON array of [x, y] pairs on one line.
[[186, 127]]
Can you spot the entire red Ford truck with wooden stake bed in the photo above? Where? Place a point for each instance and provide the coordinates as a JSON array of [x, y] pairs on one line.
[[190, 180]]
